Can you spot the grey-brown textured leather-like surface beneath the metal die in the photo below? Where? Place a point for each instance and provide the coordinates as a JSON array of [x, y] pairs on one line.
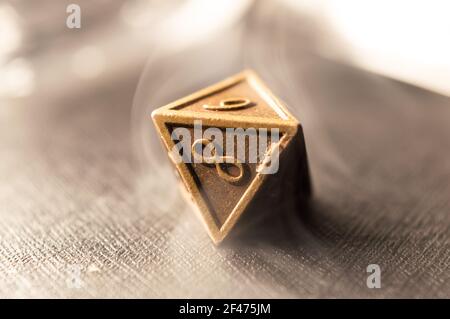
[[74, 191]]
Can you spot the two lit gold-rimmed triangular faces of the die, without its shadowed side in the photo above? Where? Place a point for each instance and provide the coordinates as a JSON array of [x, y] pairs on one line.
[[222, 185]]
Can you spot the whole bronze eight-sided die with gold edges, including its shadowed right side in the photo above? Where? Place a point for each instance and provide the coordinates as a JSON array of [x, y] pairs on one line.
[[221, 195]]
